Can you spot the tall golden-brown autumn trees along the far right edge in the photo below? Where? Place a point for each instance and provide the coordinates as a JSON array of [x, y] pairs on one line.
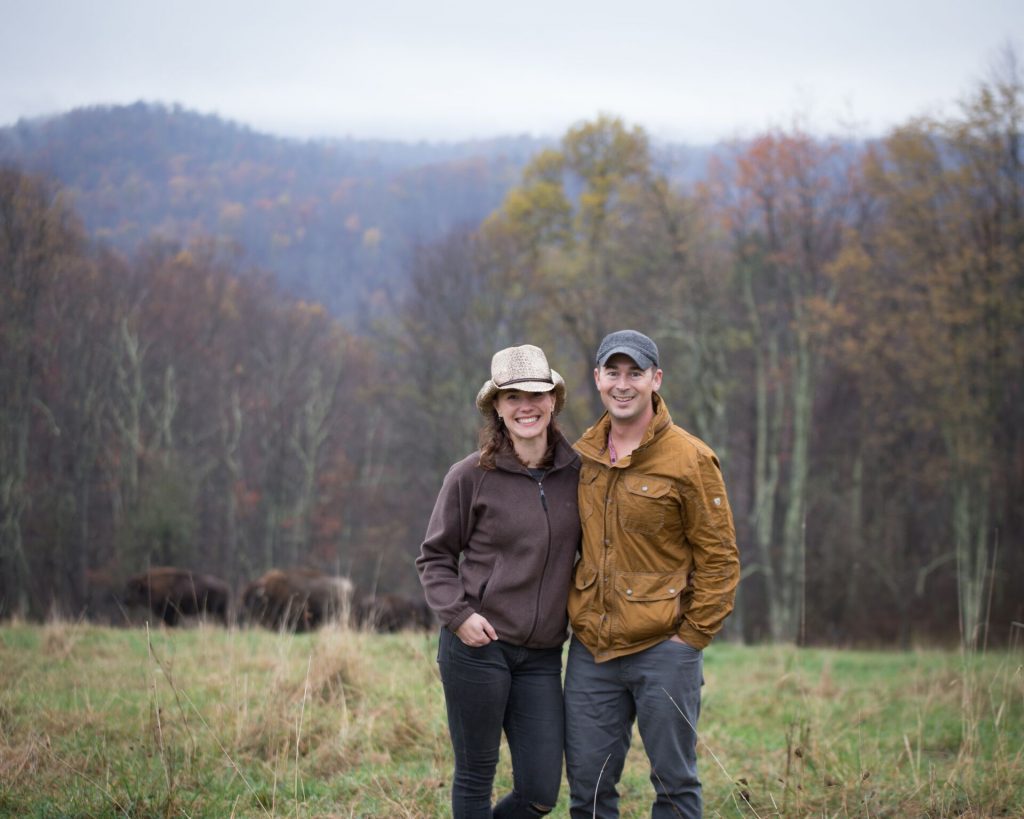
[[938, 275]]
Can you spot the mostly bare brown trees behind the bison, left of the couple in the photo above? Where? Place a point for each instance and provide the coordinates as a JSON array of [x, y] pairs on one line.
[[164, 409]]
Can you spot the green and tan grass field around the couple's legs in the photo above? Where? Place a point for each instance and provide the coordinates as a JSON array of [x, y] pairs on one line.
[[99, 722]]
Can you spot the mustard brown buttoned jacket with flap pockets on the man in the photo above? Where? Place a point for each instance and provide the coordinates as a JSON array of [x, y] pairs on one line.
[[660, 554]]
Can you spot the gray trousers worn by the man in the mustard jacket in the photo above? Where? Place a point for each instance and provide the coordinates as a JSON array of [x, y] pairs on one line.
[[602, 703]]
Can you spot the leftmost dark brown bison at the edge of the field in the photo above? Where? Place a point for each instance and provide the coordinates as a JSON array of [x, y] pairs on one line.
[[172, 593]]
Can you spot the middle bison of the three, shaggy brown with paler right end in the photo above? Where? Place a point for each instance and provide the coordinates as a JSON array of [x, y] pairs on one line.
[[297, 600]]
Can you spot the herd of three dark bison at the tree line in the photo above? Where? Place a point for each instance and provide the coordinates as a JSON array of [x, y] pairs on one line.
[[293, 600]]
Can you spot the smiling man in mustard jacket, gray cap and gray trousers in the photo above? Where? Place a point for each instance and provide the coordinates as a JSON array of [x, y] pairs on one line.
[[657, 579]]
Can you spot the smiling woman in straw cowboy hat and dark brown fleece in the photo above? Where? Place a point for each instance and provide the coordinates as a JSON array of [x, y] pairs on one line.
[[495, 567]]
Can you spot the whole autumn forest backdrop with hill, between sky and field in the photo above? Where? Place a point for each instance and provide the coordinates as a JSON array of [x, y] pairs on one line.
[[842, 321]]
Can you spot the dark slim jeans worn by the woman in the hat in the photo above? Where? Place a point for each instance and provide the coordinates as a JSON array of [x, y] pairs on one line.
[[503, 687]]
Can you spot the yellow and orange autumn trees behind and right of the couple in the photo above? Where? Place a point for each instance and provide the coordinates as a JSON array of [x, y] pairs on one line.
[[841, 322]]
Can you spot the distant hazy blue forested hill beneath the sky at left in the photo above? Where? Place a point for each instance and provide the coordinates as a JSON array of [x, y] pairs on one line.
[[334, 221]]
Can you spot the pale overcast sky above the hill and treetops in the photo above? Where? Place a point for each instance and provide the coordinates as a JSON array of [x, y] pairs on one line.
[[412, 70]]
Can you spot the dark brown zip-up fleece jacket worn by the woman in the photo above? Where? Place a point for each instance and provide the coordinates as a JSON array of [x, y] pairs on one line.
[[502, 544]]
